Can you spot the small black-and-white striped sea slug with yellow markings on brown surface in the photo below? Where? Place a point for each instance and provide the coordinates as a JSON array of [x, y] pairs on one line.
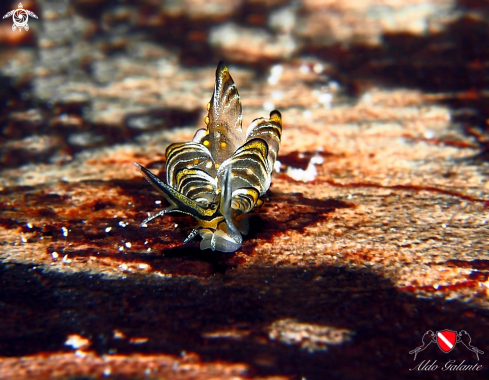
[[219, 177]]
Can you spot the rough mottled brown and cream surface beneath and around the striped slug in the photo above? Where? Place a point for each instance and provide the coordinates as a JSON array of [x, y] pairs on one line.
[[374, 231]]
